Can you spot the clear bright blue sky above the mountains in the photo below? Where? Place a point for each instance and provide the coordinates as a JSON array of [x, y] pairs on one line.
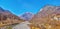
[[19, 7]]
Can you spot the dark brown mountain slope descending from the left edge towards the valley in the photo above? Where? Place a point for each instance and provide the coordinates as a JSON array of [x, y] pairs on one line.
[[6, 17]]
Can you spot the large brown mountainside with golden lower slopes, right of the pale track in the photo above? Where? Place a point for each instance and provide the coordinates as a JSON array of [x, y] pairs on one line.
[[48, 16]]
